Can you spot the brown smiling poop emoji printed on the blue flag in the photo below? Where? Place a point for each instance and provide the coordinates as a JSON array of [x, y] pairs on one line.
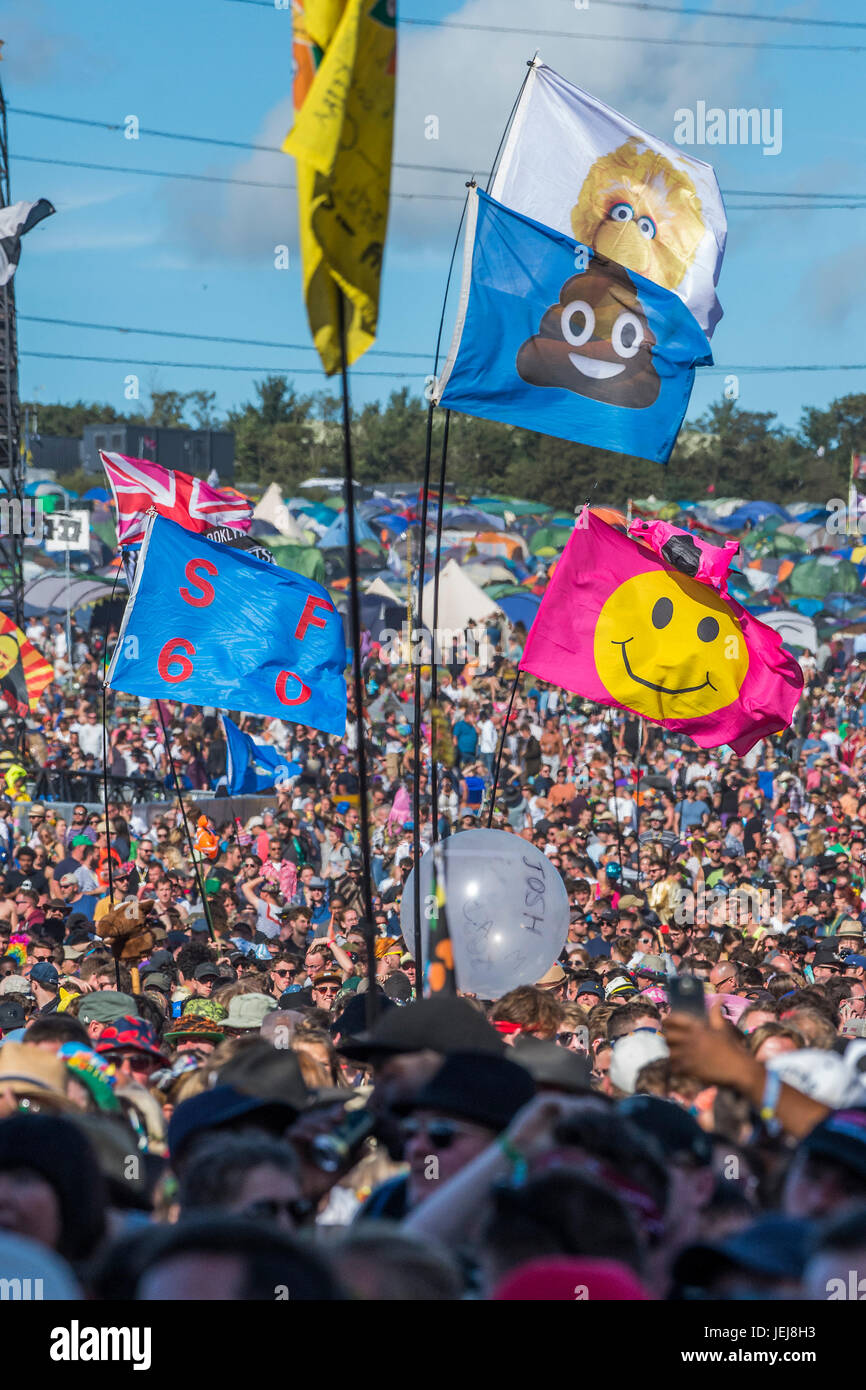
[[596, 341]]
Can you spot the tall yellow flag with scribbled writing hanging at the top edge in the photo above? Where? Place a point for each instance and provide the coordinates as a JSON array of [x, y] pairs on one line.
[[345, 66]]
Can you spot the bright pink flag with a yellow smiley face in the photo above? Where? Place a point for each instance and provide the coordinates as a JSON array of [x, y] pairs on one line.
[[622, 628]]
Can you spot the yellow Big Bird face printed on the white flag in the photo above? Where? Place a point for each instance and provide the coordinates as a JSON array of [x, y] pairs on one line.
[[637, 208]]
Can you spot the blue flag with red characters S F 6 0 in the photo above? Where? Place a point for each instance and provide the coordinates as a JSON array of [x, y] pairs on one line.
[[209, 625]]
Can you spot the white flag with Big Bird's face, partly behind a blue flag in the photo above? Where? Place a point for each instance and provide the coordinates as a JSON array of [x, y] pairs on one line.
[[580, 167]]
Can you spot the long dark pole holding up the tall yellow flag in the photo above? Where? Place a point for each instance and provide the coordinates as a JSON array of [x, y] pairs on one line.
[[357, 651]]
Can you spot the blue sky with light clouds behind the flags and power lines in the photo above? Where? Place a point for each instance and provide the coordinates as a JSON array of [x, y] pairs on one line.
[[161, 254]]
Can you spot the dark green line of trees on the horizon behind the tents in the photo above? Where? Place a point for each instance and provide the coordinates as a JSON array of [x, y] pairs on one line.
[[286, 437]]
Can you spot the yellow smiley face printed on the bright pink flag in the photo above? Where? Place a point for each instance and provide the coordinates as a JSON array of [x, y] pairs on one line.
[[669, 647]]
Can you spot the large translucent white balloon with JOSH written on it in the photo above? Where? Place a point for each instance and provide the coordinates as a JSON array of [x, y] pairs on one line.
[[507, 910]]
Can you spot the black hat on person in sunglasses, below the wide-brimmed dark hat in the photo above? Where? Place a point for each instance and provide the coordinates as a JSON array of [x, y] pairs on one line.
[[476, 1086]]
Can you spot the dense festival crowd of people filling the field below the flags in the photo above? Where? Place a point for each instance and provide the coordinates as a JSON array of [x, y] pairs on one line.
[[220, 1079]]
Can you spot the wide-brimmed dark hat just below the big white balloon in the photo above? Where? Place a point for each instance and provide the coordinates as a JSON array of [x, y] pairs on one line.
[[444, 1025]]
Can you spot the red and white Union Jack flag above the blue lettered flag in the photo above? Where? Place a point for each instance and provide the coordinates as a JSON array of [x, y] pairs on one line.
[[138, 484]]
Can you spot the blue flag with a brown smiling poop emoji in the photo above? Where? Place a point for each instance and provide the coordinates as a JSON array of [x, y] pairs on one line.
[[554, 337]]
